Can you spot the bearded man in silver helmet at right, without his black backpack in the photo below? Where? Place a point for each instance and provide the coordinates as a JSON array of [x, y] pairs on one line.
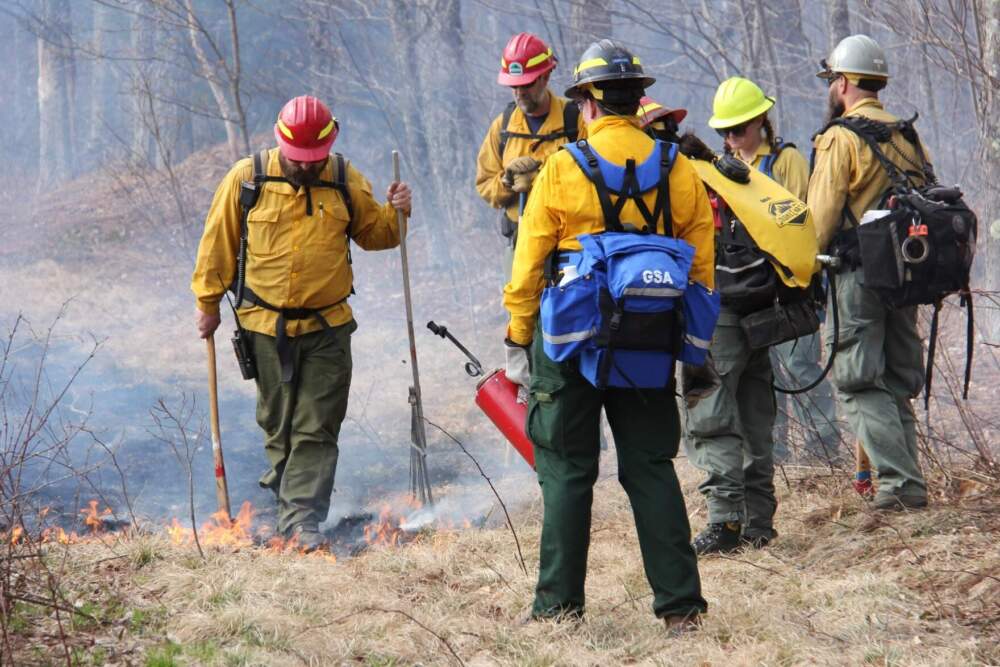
[[879, 363]]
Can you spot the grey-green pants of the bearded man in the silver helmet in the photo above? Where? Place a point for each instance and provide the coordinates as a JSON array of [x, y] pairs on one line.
[[879, 369]]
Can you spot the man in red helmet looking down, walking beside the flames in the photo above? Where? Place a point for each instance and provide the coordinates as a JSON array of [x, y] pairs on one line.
[[278, 232]]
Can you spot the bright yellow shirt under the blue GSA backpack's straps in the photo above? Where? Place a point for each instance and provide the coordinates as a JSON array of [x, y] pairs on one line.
[[564, 204]]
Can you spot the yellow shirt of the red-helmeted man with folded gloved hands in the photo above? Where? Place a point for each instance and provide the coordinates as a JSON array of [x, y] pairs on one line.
[[489, 168]]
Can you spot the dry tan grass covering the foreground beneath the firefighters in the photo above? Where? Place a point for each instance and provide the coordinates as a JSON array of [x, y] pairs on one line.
[[838, 587]]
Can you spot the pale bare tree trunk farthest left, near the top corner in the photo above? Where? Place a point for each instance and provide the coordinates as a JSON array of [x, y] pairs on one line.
[[55, 141]]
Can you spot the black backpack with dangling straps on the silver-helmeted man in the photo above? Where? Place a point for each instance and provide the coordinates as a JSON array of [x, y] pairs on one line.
[[922, 250]]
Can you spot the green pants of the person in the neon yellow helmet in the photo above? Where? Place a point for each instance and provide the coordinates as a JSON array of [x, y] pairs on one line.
[[730, 434]]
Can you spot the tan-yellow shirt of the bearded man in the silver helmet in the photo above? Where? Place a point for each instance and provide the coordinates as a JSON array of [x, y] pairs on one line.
[[846, 171]]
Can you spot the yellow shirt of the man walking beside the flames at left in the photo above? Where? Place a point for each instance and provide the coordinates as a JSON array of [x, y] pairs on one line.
[[293, 260]]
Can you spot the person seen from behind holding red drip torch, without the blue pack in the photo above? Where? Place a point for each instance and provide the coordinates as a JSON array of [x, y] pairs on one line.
[[564, 405]]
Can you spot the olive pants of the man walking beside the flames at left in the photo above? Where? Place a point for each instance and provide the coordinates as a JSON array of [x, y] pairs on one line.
[[301, 420]]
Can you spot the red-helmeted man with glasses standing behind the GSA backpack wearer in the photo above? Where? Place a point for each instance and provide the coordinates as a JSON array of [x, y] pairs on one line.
[[531, 128]]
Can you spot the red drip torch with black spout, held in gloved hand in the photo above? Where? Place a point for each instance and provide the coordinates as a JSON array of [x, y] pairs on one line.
[[496, 396]]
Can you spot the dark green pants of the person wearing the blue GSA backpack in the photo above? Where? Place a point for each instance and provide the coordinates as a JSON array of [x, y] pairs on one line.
[[563, 422]]
